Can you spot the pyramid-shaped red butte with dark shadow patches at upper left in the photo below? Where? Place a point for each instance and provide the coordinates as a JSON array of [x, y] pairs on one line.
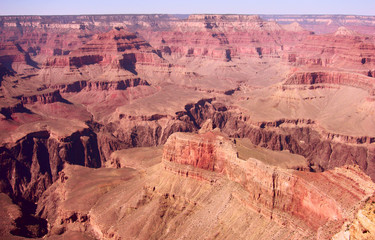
[[112, 56]]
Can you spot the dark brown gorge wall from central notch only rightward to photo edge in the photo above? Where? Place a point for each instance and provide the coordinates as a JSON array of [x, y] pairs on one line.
[[323, 150]]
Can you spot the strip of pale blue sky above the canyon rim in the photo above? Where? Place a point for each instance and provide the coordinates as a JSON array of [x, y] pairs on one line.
[[73, 7]]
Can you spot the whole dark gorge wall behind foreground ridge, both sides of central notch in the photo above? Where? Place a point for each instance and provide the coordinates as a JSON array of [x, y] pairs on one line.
[[323, 149]]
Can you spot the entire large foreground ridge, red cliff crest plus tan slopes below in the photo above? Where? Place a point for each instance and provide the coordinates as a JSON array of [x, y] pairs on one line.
[[200, 177]]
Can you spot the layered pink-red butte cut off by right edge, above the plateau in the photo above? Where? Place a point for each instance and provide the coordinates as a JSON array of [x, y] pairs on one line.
[[343, 58]]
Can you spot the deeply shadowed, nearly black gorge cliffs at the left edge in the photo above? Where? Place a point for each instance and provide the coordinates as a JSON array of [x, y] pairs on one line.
[[31, 165]]
